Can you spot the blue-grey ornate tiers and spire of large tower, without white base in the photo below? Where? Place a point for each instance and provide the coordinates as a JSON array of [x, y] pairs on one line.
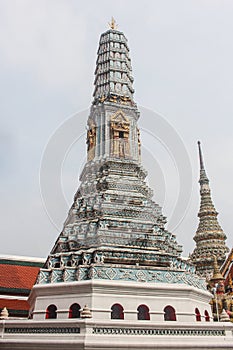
[[113, 221]]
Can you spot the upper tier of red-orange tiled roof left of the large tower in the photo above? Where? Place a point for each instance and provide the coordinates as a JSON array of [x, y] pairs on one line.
[[16, 276]]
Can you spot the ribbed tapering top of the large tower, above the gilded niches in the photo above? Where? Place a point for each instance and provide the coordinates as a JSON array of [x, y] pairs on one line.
[[113, 74]]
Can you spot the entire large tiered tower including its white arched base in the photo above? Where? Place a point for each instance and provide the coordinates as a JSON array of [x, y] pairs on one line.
[[115, 233]]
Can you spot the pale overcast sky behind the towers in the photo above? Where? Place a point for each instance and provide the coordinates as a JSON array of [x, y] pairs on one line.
[[182, 56]]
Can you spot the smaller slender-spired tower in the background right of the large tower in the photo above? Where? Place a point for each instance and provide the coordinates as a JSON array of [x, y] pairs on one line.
[[209, 237]]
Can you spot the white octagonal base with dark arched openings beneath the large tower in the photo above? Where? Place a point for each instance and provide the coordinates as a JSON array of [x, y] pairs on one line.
[[100, 295]]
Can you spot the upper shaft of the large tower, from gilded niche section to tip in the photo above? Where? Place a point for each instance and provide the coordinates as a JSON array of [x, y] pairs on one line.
[[112, 131]]
